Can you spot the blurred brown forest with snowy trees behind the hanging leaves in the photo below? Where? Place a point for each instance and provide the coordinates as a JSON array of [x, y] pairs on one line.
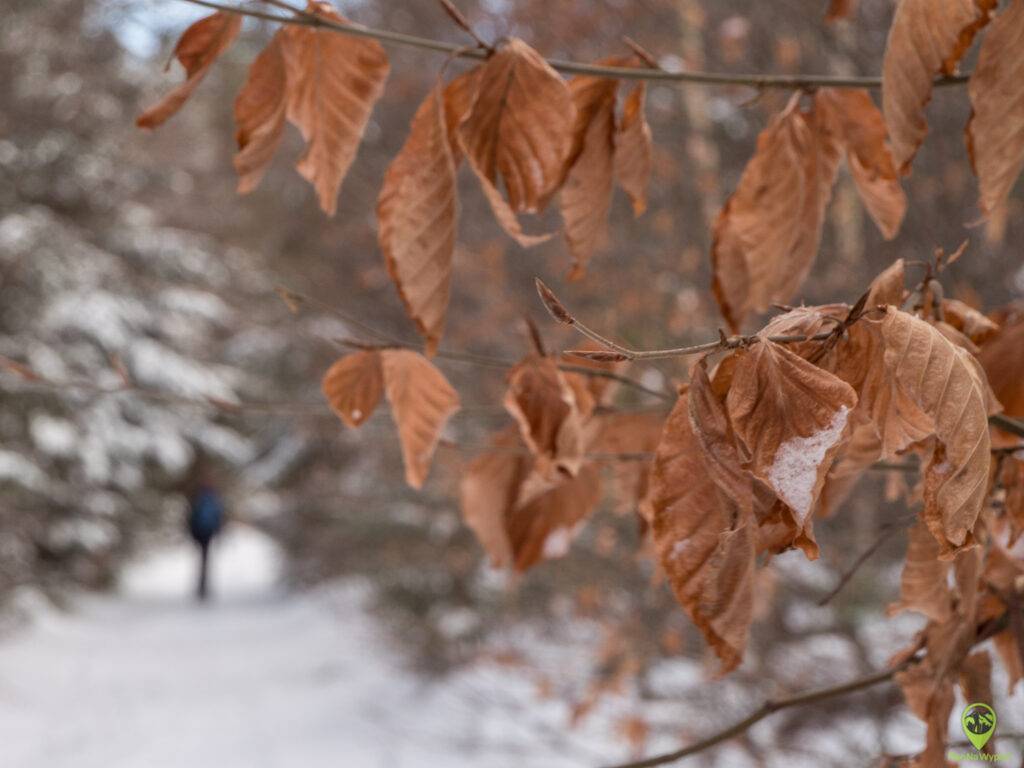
[[126, 255]]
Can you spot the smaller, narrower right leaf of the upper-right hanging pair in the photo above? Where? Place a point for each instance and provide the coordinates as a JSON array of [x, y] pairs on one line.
[[862, 130]]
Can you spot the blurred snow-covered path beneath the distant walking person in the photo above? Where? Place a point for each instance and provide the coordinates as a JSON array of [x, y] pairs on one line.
[[149, 679]]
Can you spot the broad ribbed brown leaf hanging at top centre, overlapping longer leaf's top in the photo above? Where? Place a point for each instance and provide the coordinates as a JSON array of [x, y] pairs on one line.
[[521, 129]]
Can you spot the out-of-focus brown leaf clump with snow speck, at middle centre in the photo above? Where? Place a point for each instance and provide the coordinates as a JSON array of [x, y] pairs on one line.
[[529, 493]]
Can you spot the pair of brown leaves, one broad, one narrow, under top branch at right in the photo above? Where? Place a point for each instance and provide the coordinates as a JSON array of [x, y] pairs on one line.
[[767, 235]]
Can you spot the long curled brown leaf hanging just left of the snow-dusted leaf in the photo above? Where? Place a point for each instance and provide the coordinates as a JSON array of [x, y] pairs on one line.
[[706, 546]]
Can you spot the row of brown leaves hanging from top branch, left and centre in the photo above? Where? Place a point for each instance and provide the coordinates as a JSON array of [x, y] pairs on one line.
[[516, 121]]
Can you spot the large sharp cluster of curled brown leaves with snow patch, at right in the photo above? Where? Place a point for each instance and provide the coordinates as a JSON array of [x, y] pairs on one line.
[[778, 434]]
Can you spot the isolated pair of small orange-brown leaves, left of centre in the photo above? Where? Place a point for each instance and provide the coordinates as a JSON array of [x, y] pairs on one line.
[[421, 399]]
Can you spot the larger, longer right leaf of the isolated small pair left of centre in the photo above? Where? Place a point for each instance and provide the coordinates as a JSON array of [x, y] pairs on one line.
[[422, 402]]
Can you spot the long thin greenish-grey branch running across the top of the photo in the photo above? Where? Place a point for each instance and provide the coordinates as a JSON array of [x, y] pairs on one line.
[[790, 82]]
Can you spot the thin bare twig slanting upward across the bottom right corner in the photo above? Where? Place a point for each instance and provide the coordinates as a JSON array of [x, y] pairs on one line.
[[771, 707]]
